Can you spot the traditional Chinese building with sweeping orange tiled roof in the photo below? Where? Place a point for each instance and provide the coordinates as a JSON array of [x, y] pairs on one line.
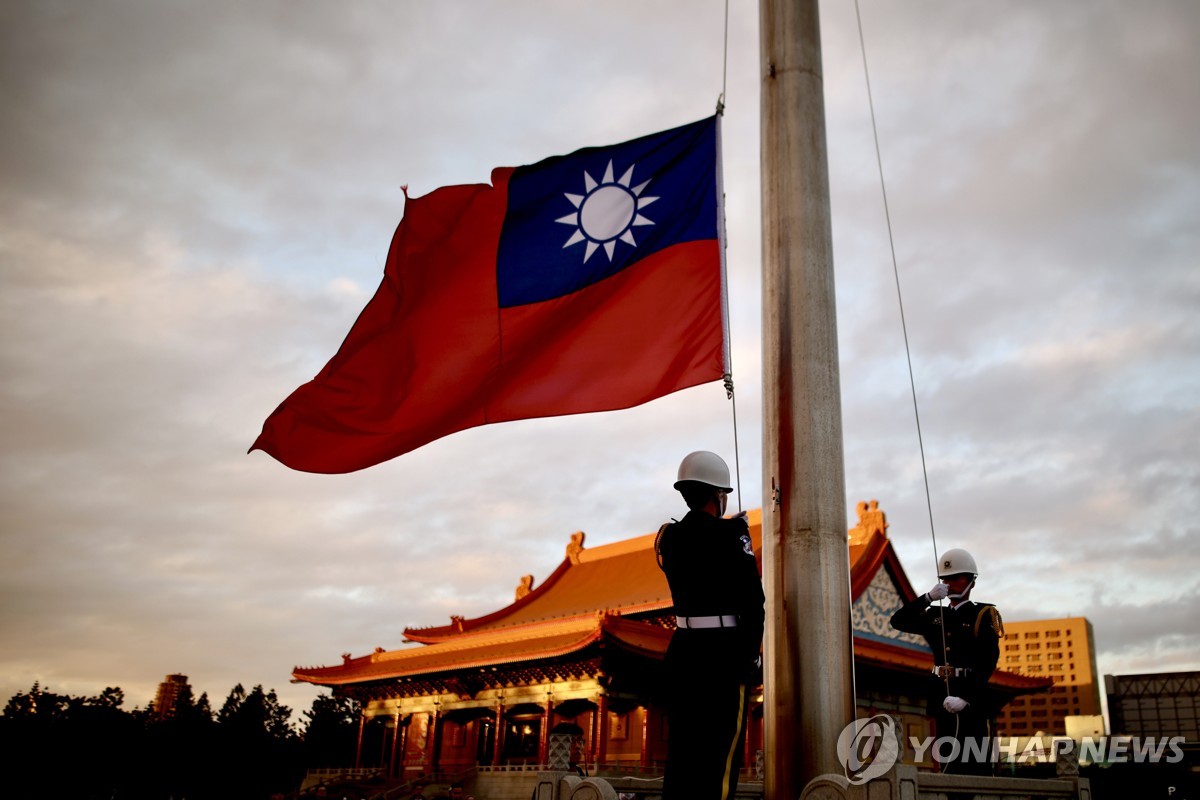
[[585, 648]]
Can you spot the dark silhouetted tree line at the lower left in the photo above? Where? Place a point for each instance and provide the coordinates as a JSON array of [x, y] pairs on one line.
[[93, 749]]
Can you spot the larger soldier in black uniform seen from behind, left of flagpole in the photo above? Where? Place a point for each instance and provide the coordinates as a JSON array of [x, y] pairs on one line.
[[713, 658]]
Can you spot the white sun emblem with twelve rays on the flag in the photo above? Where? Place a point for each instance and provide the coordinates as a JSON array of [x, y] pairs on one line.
[[608, 212]]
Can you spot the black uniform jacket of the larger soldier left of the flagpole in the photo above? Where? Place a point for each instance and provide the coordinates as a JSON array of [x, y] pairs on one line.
[[711, 568]]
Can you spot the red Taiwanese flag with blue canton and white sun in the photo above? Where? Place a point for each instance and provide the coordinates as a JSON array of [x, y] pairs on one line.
[[583, 284]]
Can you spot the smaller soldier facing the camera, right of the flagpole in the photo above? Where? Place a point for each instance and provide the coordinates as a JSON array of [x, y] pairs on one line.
[[965, 640]]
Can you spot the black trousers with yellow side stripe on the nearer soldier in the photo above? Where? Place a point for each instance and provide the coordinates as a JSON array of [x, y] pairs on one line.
[[707, 705]]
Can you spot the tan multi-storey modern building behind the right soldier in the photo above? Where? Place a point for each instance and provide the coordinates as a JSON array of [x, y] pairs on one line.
[[1063, 651]]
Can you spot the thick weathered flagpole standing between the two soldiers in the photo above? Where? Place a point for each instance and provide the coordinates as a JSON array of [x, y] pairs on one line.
[[809, 665]]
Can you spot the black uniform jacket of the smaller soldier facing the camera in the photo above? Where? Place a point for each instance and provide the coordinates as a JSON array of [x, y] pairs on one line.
[[971, 634]]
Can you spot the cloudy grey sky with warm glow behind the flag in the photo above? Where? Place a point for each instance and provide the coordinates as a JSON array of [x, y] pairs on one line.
[[197, 201]]
